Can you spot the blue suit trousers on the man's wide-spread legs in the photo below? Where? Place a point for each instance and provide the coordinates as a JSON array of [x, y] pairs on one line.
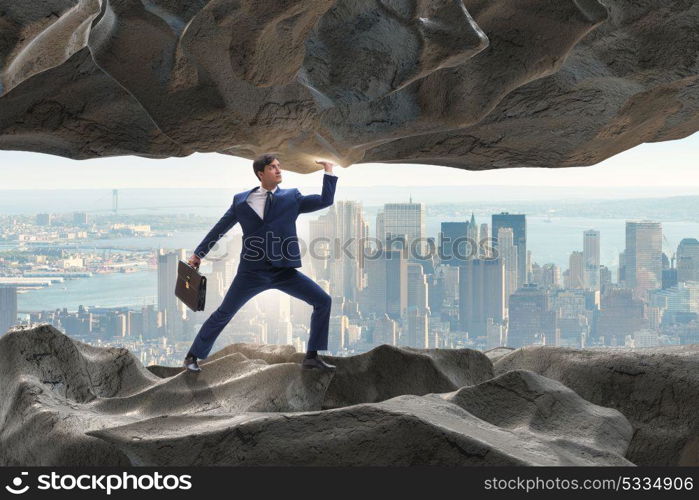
[[248, 283]]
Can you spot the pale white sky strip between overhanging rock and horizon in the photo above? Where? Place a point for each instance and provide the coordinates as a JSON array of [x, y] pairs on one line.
[[670, 164]]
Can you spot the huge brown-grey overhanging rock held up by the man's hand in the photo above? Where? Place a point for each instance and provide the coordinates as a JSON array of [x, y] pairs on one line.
[[474, 84]]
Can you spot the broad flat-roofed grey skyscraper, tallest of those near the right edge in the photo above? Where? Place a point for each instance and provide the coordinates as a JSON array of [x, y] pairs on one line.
[[643, 257]]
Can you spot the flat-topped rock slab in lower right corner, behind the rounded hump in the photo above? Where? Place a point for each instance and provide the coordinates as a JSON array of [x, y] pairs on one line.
[[657, 389]]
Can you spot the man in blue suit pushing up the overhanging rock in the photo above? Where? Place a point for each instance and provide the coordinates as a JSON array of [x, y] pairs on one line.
[[270, 256]]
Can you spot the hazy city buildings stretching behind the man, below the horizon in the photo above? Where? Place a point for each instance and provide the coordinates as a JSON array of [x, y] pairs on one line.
[[414, 301]]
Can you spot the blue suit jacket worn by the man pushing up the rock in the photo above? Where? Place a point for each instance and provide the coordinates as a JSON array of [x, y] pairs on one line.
[[273, 238]]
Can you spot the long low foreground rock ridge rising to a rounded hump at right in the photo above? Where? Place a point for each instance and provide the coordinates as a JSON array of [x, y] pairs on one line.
[[519, 418]]
